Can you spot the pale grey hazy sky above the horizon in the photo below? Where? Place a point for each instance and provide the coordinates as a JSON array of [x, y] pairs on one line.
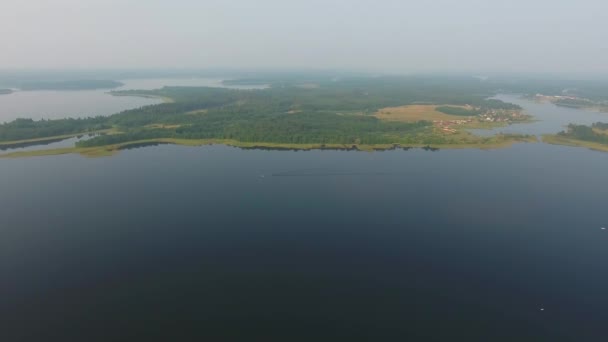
[[383, 35]]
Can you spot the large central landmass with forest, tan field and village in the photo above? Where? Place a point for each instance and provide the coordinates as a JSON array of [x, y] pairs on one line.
[[357, 114]]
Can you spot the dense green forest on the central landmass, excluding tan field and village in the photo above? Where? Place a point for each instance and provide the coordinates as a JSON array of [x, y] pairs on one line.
[[338, 112]]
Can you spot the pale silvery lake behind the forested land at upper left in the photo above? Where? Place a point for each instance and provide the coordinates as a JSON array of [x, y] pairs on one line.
[[84, 103]]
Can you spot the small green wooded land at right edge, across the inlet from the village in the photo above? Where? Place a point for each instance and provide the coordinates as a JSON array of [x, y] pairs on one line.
[[594, 137]]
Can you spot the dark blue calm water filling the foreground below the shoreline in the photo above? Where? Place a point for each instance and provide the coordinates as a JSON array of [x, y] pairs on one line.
[[216, 243]]
